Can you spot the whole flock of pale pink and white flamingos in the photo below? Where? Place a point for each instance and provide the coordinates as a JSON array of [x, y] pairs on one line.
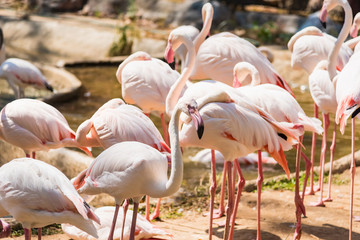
[[246, 107]]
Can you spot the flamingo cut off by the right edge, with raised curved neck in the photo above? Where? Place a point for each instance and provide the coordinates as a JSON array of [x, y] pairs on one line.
[[347, 87]]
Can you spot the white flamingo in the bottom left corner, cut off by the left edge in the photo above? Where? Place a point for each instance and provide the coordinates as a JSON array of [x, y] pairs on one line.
[[37, 194]]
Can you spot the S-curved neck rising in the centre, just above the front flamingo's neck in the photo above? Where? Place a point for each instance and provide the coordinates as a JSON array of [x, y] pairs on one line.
[[176, 89]]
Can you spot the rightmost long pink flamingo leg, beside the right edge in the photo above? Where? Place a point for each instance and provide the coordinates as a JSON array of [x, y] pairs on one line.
[[353, 171]]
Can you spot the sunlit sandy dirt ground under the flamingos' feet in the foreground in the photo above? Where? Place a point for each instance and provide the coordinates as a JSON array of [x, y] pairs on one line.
[[277, 217]]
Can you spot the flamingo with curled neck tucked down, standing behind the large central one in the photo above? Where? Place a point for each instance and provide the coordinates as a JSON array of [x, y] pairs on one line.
[[283, 108]]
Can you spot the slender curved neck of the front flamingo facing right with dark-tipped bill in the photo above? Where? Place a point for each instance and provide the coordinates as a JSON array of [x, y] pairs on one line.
[[176, 175]]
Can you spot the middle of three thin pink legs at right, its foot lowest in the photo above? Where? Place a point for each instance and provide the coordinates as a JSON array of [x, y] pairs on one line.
[[326, 121]]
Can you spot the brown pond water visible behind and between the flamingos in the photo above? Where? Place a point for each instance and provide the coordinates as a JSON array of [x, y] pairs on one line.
[[100, 85]]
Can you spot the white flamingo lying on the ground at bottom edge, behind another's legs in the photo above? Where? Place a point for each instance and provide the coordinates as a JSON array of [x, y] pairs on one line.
[[144, 229]]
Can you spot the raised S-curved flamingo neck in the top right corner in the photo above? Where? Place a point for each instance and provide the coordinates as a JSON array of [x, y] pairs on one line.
[[340, 40]]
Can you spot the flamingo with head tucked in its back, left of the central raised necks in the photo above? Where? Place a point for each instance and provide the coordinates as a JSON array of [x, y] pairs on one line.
[[146, 82]]
